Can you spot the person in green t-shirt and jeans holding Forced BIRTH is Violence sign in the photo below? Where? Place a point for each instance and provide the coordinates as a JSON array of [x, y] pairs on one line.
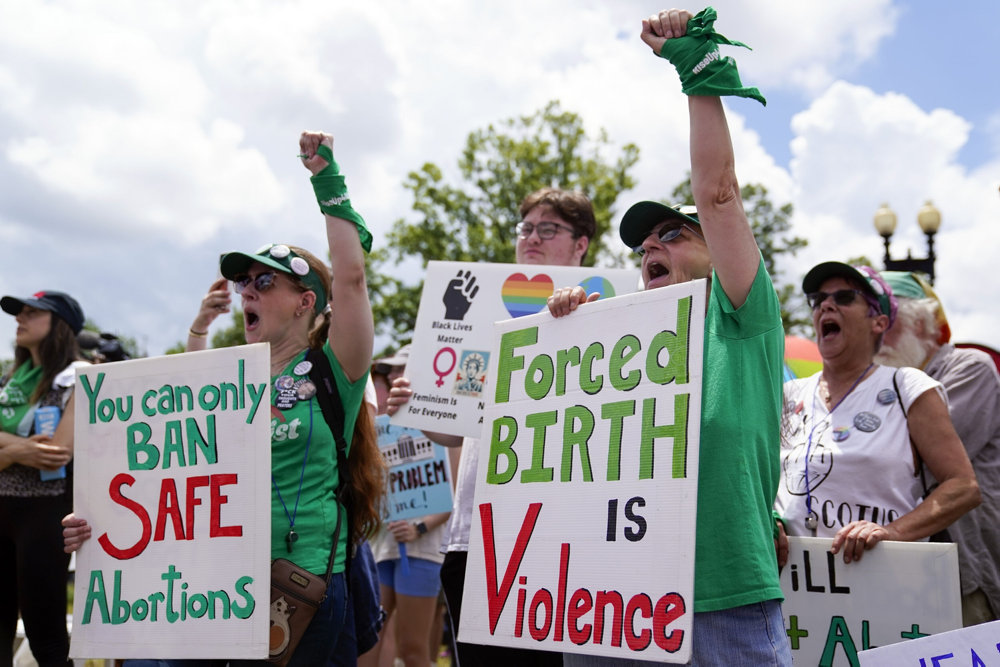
[[737, 607]]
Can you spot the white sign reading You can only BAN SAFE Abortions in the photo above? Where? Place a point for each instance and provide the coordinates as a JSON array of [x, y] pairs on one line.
[[173, 467]]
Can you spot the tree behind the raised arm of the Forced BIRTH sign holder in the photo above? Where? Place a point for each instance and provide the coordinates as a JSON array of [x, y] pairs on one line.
[[771, 227]]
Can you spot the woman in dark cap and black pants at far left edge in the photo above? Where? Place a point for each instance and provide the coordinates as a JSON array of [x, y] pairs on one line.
[[36, 447]]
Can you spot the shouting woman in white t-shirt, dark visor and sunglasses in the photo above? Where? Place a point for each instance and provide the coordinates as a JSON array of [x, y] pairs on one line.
[[857, 435]]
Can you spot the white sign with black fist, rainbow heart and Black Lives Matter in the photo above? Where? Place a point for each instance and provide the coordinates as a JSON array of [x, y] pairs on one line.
[[453, 335]]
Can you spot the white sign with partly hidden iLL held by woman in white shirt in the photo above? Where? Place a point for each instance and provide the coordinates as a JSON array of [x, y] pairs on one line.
[[897, 591]]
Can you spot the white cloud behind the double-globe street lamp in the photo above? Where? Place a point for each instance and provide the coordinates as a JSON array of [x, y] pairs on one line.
[[855, 149]]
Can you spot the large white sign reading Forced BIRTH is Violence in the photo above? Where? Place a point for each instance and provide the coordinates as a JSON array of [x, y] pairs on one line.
[[583, 530]]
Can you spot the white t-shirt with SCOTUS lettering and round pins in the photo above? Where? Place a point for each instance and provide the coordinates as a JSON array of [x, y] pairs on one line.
[[858, 460]]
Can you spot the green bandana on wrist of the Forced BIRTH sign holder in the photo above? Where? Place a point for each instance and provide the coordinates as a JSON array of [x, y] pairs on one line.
[[703, 70]]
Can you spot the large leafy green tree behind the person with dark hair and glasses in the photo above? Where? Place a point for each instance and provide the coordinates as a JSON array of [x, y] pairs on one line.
[[473, 219]]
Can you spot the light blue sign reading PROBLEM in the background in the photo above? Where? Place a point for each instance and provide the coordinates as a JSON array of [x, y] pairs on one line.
[[419, 472]]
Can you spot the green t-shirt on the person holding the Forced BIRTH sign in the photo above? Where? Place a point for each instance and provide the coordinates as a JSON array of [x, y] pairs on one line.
[[738, 468]]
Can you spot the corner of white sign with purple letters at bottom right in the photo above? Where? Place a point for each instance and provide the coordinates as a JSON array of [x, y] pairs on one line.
[[975, 646]]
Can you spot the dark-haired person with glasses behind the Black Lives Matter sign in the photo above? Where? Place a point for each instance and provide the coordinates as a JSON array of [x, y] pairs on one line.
[[556, 229]]
